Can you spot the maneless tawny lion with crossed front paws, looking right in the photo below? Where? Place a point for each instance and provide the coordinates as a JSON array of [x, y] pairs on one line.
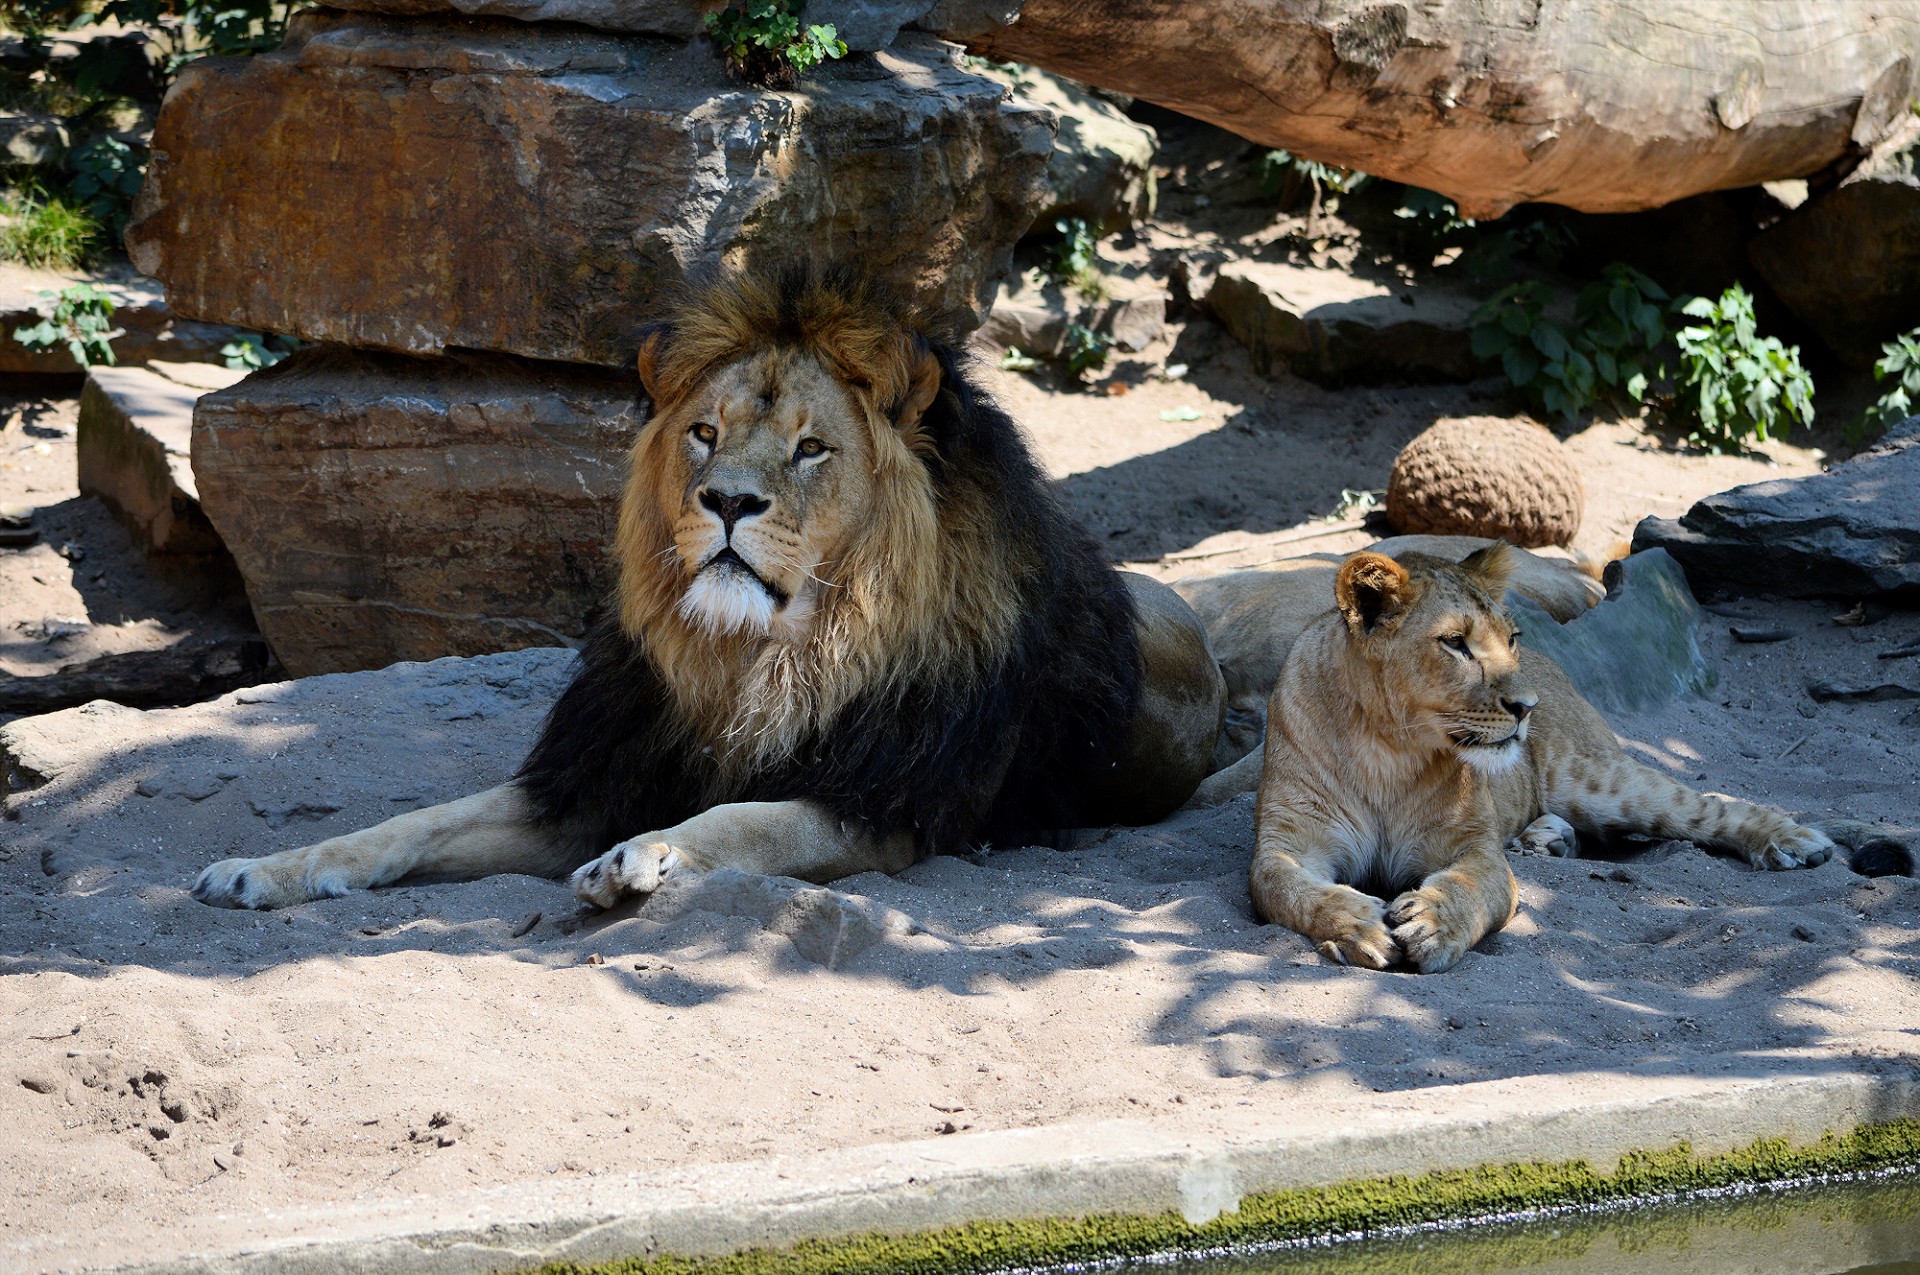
[[1410, 738]]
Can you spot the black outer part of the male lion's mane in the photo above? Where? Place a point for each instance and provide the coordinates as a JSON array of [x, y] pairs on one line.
[[1001, 750]]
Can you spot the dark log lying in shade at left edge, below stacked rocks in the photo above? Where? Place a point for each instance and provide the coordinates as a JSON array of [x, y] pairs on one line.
[[176, 675]]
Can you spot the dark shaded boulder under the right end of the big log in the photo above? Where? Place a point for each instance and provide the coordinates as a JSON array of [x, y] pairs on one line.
[[1848, 262]]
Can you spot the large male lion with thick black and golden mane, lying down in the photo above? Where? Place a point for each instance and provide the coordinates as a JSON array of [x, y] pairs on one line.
[[852, 629]]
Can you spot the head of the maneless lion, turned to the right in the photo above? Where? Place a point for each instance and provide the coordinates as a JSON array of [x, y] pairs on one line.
[[1447, 650]]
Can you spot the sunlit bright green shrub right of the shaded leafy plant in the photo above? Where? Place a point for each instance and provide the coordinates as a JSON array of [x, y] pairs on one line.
[[1733, 383]]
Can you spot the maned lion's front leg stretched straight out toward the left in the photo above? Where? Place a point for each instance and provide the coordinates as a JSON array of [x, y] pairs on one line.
[[469, 838]]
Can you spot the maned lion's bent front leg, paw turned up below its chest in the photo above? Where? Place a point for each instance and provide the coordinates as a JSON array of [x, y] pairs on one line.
[[777, 838]]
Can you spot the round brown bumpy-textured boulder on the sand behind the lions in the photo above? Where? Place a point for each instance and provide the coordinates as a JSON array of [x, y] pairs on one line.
[[1487, 477]]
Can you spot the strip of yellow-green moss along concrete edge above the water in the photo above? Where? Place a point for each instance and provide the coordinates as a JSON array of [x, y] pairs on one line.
[[1301, 1213]]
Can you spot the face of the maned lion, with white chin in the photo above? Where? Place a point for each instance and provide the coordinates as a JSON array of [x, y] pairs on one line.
[[773, 483]]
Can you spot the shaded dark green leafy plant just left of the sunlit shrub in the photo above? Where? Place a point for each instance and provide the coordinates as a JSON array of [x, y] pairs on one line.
[[1610, 350]]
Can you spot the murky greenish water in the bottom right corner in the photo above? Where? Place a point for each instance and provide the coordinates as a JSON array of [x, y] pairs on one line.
[[1860, 1228]]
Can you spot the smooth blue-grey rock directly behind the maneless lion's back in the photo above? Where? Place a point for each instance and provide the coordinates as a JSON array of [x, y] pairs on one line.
[[1639, 648]]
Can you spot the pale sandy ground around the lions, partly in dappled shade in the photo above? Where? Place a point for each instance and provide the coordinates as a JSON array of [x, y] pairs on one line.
[[166, 1069]]
